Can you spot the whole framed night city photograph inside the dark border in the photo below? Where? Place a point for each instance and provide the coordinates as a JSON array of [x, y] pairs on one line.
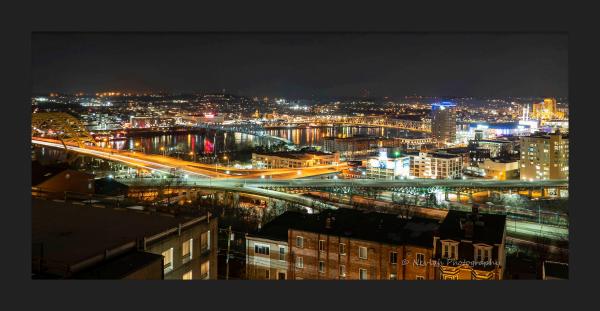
[[300, 156]]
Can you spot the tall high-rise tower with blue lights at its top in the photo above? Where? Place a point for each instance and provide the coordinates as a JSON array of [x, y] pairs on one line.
[[443, 123]]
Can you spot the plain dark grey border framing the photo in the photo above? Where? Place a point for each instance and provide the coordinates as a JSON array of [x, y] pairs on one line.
[[21, 18]]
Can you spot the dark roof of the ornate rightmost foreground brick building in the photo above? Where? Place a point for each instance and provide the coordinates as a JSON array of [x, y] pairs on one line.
[[487, 228]]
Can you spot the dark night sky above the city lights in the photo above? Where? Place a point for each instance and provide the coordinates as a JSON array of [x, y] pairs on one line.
[[303, 65]]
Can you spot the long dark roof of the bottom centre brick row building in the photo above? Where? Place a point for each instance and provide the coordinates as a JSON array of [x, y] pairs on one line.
[[356, 224]]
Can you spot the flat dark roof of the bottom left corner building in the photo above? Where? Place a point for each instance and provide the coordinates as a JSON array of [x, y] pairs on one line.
[[69, 234]]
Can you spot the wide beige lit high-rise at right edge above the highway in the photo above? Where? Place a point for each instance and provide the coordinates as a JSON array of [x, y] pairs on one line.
[[544, 156]]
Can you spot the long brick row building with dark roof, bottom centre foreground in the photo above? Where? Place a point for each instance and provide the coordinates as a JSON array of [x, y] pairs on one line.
[[345, 244]]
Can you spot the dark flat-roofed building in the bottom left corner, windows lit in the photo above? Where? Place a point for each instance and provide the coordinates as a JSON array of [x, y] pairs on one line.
[[79, 241]]
